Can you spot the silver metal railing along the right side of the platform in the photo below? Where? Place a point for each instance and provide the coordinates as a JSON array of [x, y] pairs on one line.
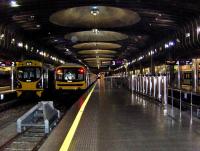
[[156, 87]]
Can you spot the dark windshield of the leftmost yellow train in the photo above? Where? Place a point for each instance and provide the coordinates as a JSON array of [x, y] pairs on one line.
[[29, 74]]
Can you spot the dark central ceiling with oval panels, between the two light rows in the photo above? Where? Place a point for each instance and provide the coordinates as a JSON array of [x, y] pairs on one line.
[[147, 23]]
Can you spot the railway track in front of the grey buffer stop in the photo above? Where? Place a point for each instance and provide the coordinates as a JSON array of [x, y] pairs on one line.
[[29, 140]]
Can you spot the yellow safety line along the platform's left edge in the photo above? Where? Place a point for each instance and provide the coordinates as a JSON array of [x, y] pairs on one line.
[[70, 135]]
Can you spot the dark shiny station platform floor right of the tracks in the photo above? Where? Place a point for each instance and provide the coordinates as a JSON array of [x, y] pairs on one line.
[[116, 119]]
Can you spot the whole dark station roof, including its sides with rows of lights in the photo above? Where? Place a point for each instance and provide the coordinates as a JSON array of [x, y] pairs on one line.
[[91, 32]]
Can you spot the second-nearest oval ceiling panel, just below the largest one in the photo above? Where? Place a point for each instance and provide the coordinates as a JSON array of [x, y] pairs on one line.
[[94, 36]]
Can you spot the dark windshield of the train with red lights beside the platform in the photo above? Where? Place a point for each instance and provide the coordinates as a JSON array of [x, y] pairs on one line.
[[70, 74]]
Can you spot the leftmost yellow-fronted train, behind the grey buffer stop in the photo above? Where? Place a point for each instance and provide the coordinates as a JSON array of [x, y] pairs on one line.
[[30, 78]]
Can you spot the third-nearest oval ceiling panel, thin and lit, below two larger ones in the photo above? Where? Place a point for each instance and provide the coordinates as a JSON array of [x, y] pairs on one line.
[[97, 45]]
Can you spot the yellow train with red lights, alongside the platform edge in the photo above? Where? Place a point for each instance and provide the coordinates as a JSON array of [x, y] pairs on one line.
[[73, 77]]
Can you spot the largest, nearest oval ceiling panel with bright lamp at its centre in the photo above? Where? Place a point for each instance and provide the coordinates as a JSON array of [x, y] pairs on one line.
[[95, 16]]
